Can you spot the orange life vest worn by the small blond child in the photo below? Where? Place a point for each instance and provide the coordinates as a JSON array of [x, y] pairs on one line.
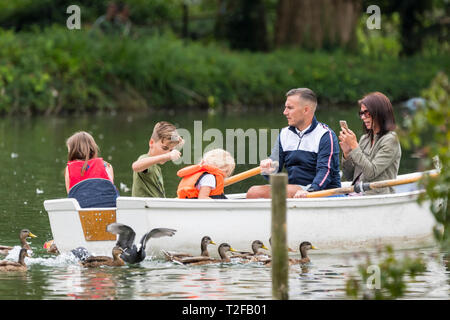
[[191, 174]]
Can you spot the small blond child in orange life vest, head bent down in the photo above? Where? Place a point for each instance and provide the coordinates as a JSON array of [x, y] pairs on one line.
[[206, 179]]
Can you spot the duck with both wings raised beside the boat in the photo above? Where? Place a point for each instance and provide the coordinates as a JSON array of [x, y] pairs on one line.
[[131, 254]]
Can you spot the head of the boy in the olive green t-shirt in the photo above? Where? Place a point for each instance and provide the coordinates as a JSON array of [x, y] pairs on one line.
[[164, 138]]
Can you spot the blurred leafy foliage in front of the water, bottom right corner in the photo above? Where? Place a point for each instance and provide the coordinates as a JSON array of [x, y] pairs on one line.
[[392, 273]]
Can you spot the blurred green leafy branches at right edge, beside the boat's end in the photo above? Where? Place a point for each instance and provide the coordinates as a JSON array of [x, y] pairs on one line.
[[429, 130]]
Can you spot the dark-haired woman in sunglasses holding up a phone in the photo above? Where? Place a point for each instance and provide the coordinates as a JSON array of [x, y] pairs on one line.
[[377, 155]]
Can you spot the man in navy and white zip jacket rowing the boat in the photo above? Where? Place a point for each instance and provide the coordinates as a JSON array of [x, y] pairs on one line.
[[307, 148]]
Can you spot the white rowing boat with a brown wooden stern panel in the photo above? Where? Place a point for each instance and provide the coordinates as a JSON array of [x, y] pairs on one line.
[[329, 223]]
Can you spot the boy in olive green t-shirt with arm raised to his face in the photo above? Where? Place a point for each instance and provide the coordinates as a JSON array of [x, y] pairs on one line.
[[147, 175]]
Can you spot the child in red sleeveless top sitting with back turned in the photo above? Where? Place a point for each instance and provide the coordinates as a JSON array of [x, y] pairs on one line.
[[83, 162]]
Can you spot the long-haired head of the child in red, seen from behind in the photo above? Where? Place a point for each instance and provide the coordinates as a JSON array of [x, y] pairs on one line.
[[81, 146]]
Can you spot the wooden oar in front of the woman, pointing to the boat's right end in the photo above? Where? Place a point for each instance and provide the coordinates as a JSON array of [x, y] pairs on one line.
[[361, 187]]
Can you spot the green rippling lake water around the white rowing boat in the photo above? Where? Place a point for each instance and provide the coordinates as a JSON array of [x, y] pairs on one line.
[[33, 157]]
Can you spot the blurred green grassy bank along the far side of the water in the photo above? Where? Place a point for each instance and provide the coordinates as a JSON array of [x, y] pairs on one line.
[[58, 71]]
